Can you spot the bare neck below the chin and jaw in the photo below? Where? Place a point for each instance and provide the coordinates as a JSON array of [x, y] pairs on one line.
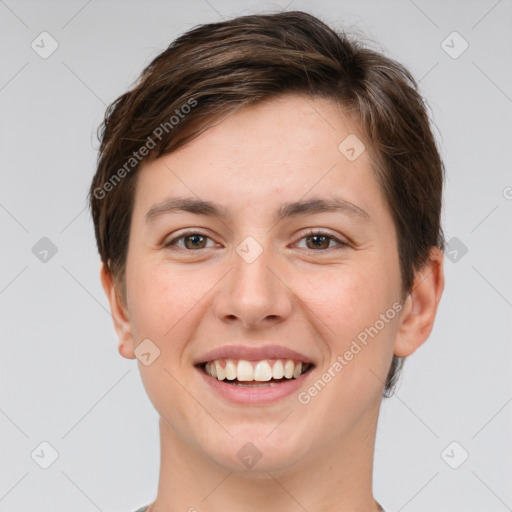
[[337, 479]]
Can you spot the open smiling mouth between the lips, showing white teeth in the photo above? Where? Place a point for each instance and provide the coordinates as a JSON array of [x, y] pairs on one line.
[[255, 374]]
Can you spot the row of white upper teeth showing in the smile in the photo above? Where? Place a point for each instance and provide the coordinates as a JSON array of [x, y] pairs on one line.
[[259, 371]]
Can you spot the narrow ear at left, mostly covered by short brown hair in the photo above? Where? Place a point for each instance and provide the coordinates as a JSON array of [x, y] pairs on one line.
[[119, 313]]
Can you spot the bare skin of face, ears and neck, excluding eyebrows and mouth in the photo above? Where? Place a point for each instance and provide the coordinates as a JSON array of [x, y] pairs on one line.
[[312, 298]]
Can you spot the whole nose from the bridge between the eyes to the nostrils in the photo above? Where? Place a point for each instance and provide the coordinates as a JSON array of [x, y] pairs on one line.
[[252, 292]]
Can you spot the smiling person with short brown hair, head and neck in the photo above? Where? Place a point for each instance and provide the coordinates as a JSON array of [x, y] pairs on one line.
[[267, 210]]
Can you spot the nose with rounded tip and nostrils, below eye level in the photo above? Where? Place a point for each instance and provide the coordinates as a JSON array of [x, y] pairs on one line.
[[254, 293]]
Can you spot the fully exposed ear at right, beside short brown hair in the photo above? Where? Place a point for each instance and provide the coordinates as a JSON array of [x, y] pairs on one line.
[[420, 307]]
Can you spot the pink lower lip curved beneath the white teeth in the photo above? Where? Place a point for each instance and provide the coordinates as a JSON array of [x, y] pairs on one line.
[[259, 395]]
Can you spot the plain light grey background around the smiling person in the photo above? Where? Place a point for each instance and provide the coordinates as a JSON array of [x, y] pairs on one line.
[[62, 379]]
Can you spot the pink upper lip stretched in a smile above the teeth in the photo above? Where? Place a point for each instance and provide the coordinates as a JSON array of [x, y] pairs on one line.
[[253, 353]]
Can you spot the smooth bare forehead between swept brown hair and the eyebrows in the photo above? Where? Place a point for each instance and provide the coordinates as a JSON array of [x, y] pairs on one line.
[[287, 148]]
